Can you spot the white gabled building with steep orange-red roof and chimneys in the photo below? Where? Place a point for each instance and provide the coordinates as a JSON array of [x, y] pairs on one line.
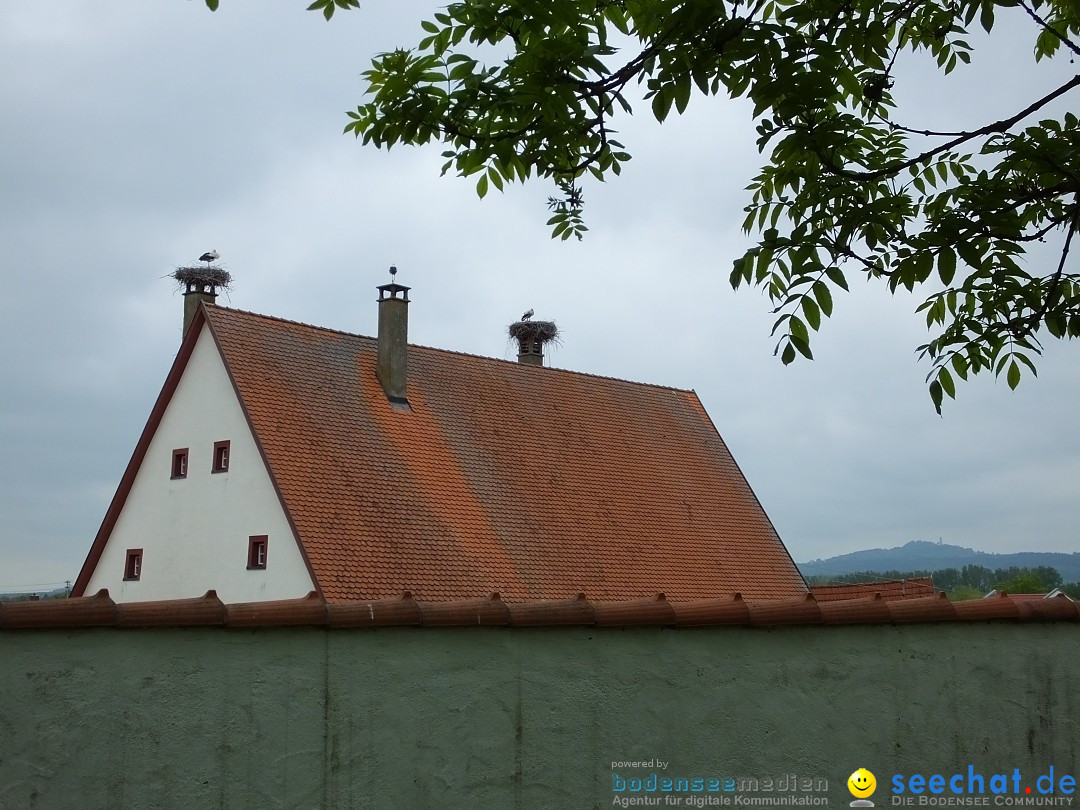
[[282, 460]]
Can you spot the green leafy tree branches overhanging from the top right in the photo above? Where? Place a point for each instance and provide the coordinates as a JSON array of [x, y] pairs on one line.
[[852, 187]]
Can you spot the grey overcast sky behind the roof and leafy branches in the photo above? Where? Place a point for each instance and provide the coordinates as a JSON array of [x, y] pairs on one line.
[[139, 136]]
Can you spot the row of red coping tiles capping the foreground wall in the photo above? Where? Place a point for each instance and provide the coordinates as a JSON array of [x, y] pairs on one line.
[[100, 612]]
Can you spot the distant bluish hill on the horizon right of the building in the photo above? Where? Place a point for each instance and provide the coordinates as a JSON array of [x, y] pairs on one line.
[[922, 556]]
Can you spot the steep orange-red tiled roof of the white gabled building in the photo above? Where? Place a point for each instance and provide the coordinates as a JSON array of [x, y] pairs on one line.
[[531, 482]]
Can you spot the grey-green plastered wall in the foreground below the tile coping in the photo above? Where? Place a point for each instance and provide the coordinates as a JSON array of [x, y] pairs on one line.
[[518, 719]]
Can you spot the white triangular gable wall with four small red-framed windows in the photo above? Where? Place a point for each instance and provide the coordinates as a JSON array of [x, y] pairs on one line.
[[195, 532]]
